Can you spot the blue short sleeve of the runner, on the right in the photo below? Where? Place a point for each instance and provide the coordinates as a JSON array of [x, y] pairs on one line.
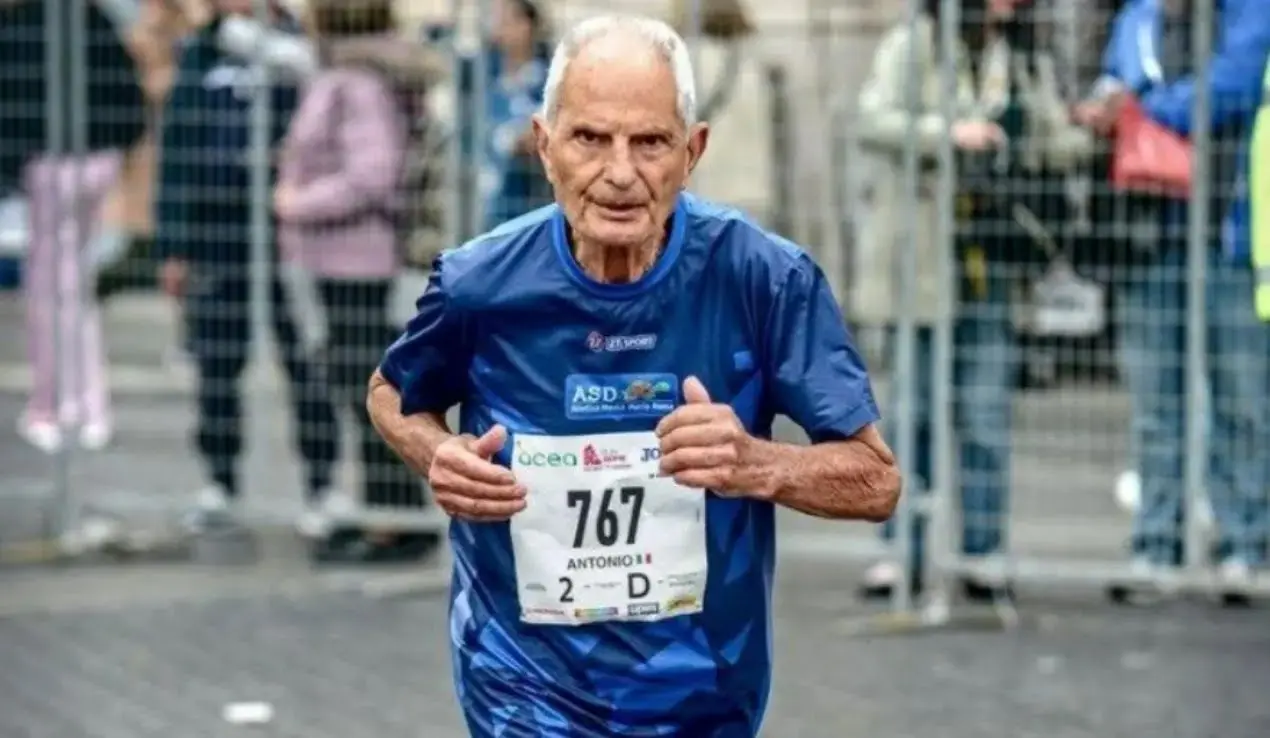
[[816, 374]]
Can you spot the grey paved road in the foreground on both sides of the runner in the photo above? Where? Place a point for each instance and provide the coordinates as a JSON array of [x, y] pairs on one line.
[[340, 666]]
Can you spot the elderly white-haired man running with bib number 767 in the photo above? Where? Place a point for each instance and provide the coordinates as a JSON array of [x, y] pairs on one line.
[[619, 359]]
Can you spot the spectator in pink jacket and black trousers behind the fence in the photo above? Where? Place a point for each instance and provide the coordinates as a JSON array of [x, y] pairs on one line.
[[338, 195]]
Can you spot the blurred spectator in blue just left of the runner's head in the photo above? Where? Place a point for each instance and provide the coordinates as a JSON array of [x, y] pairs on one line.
[[518, 53]]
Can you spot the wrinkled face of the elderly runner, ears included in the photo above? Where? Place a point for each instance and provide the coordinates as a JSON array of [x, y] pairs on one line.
[[617, 153]]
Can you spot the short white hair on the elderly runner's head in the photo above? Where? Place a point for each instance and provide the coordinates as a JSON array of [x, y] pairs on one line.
[[657, 35]]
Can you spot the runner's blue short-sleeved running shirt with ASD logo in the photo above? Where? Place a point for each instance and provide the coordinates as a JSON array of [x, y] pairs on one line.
[[512, 330]]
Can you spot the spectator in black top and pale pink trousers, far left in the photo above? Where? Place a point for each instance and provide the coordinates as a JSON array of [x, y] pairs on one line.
[[65, 194]]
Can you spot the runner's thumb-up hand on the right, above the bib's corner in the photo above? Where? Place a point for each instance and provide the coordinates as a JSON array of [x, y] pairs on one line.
[[703, 443]]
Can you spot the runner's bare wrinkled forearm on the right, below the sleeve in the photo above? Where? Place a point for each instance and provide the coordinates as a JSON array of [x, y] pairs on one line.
[[854, 480]]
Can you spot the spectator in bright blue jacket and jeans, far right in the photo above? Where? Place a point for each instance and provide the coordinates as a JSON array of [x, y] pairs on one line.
[[1150, 58]]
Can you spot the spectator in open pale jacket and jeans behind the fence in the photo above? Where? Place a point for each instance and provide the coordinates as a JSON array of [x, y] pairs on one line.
[[1012, 126]]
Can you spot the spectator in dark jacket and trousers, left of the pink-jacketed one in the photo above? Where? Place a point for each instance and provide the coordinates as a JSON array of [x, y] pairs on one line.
[[204, 241]]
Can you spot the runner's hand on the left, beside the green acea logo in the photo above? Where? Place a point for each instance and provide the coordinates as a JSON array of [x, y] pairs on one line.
[[468, 486]]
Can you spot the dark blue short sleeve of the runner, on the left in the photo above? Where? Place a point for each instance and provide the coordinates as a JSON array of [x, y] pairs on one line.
[[429, 364]]
